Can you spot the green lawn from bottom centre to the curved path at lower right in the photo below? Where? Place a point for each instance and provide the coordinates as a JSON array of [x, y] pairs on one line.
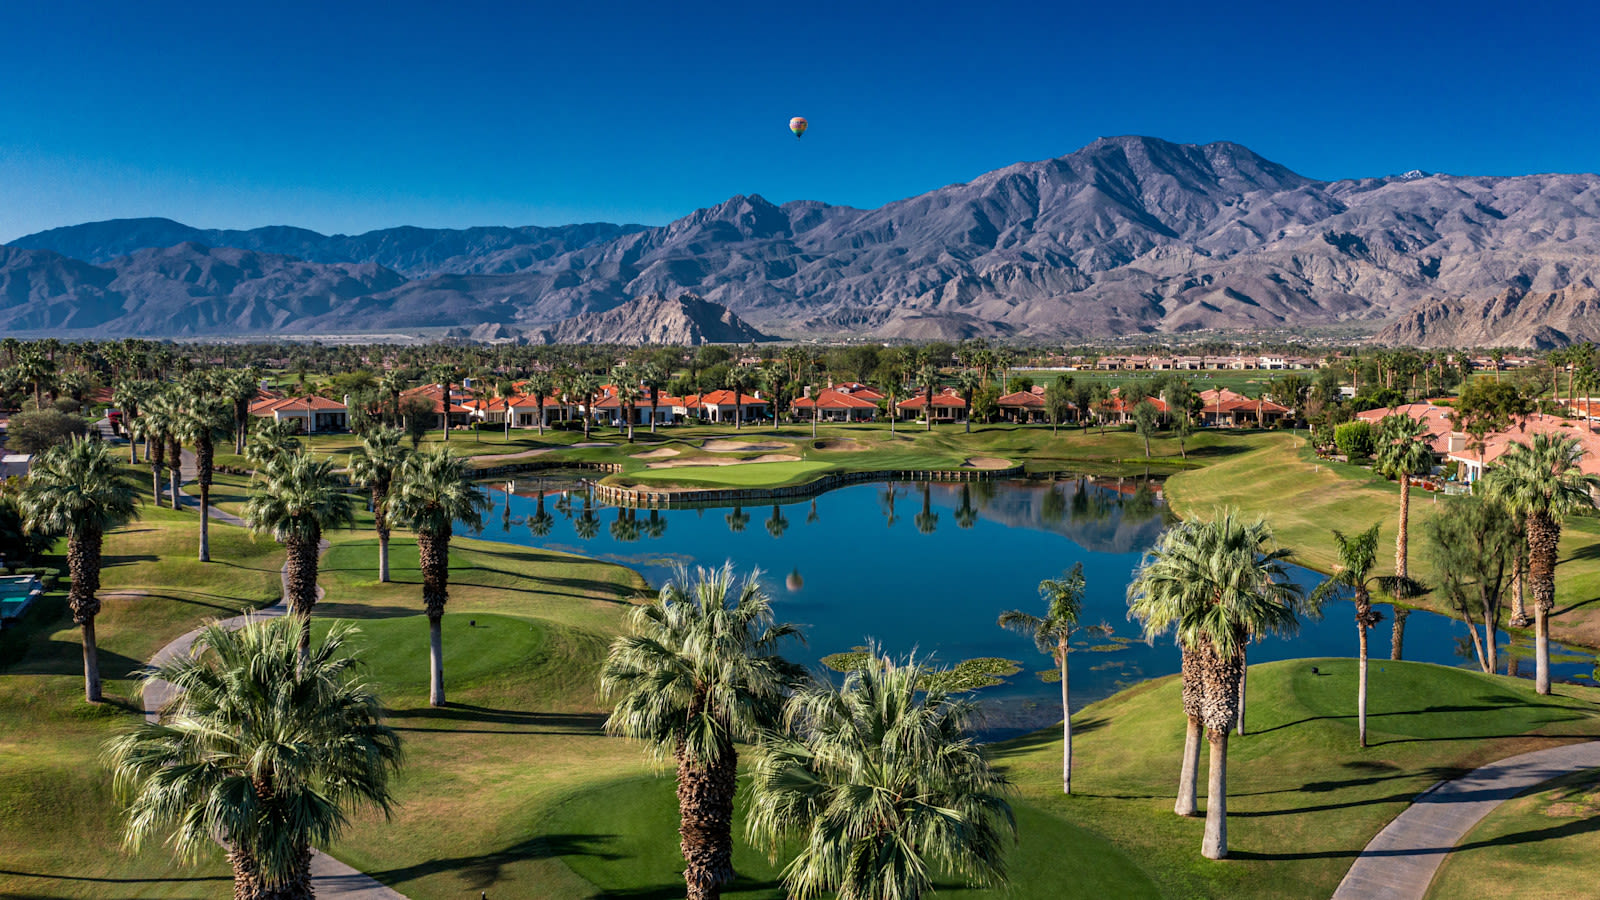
[[1303, 797]]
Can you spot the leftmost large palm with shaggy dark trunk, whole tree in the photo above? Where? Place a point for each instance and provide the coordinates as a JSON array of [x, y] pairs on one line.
[[78, 491]]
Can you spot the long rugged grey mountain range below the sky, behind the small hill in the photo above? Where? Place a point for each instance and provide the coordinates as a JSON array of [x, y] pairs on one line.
[[1126, 236]]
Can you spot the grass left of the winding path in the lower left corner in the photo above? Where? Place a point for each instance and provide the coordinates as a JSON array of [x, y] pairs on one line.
[[58, 819]]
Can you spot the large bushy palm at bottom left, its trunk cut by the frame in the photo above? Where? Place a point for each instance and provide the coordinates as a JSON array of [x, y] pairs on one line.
[[263, 747]]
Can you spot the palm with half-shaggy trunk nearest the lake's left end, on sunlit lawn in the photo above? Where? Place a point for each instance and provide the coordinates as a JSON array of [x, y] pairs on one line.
[[431, 494]]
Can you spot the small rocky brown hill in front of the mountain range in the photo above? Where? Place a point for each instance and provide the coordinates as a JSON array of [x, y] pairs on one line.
[[682, 321]]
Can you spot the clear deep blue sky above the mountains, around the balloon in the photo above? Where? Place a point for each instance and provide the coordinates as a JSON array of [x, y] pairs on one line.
[[468, 113]]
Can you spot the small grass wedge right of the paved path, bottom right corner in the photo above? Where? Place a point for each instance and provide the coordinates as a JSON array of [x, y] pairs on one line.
[[1540, 845]]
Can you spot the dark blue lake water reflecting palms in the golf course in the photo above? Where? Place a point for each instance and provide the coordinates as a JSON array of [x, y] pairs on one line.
[[929, 568]]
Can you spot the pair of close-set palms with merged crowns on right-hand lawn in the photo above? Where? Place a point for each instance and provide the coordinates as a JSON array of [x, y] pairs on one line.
[[1217, 585]]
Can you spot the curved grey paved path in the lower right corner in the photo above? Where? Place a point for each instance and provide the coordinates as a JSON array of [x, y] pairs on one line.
[[1399, 864]]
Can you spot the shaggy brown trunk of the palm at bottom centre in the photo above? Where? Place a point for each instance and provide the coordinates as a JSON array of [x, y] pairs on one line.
[[706, 822]]
